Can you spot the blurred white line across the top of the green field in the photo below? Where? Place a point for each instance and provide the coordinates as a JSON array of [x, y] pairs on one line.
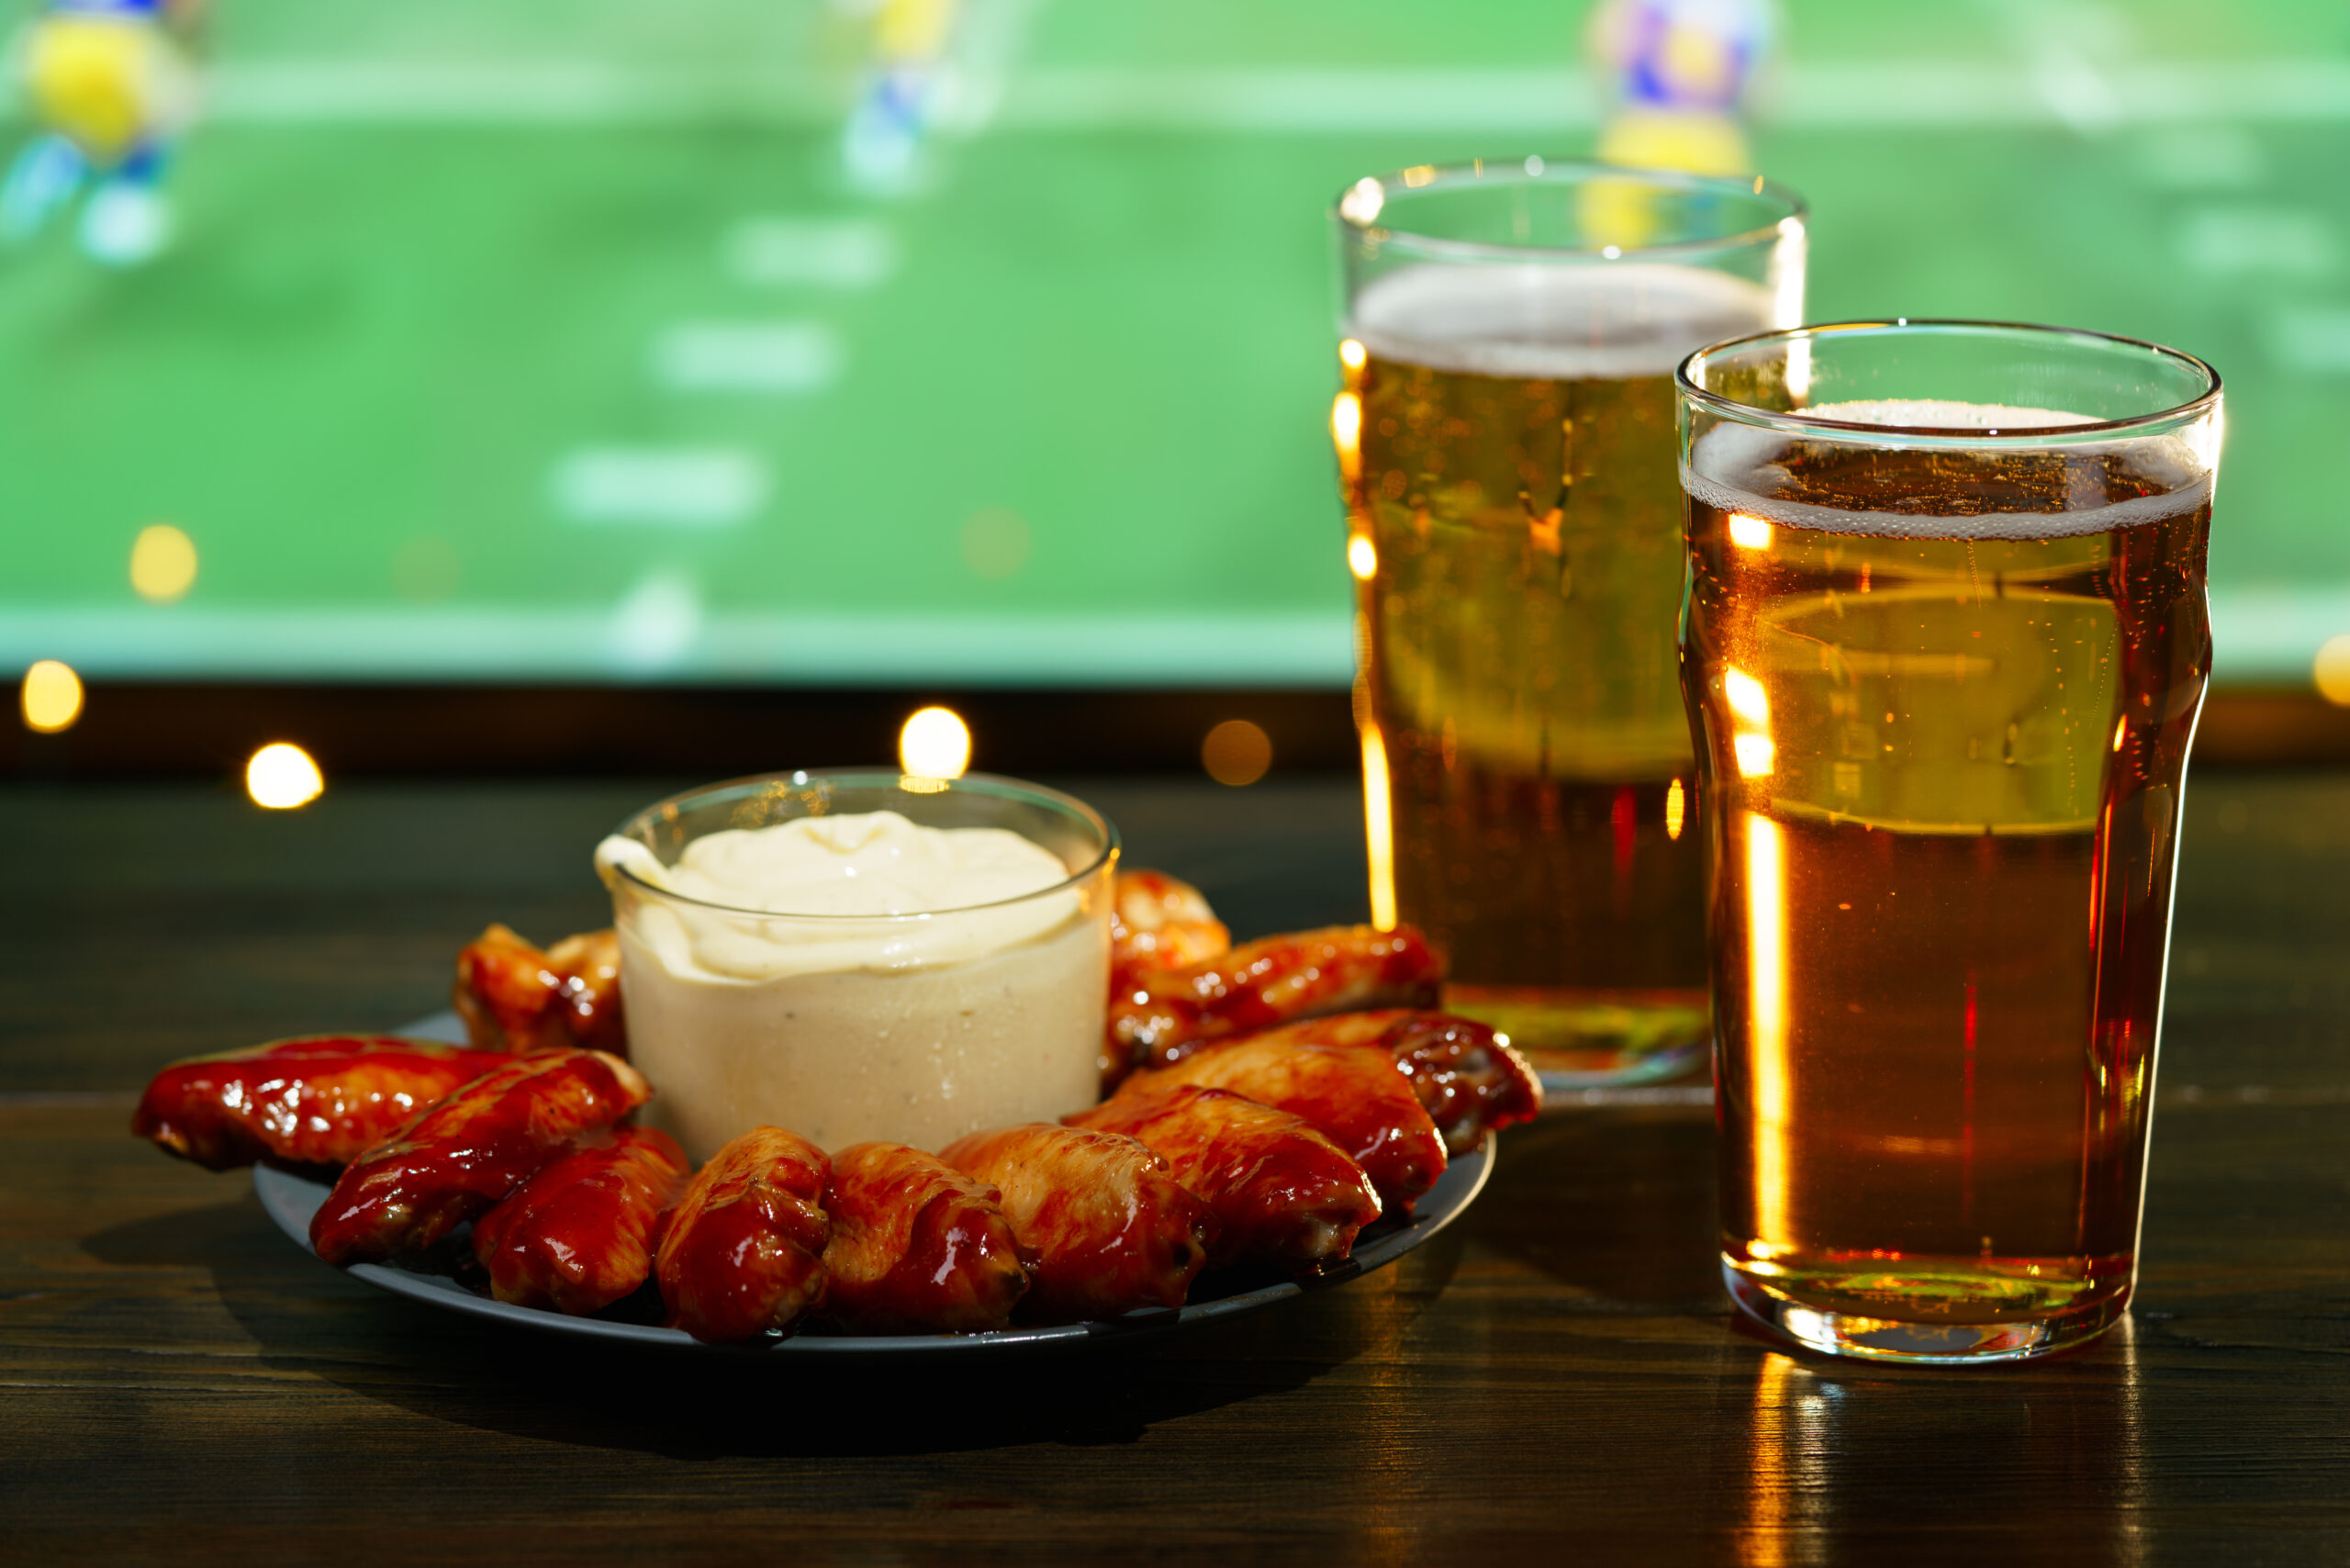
[[1261, 100]]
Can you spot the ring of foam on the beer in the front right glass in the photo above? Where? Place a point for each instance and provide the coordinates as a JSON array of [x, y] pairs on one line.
[[1735, 469]]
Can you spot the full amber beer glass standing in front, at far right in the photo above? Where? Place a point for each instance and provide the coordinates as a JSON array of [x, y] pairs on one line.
[[1945, 645]]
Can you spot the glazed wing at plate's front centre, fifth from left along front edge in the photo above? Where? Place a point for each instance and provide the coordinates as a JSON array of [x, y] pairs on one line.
[[918, 1247]]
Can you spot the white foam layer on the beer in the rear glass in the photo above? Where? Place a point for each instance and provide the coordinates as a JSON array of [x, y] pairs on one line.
[[1557, 321]]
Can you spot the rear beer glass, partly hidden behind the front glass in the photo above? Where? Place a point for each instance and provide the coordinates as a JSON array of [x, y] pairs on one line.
[[1505, 445]]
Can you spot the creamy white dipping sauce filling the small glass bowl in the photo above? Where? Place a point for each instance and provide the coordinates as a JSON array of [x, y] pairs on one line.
[[831, 1017]]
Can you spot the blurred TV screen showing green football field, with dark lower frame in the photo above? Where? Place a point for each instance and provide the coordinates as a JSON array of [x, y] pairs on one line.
[[709, 382]]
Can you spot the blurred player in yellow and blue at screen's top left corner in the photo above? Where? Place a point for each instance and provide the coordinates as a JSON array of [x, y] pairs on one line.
[[112, 86]]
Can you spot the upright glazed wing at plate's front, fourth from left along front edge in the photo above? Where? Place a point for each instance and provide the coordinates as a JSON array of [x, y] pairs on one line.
[[746, 1247]]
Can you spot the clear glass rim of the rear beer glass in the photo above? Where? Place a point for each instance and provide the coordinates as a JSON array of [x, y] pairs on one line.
[[1564, 173]]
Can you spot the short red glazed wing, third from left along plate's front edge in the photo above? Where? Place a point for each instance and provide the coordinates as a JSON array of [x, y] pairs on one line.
[[577, 1235]]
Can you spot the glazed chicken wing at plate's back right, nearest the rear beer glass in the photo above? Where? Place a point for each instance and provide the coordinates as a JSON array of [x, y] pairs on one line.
[[1270, 981]]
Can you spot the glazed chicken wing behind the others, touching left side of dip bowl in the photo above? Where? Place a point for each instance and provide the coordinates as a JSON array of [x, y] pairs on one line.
[[516, 998]]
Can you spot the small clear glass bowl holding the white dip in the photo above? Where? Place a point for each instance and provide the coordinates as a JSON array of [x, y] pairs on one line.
[[915, 1028]]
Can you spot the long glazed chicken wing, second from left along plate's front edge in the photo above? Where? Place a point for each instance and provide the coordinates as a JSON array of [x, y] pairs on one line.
[[469, 1153]]
